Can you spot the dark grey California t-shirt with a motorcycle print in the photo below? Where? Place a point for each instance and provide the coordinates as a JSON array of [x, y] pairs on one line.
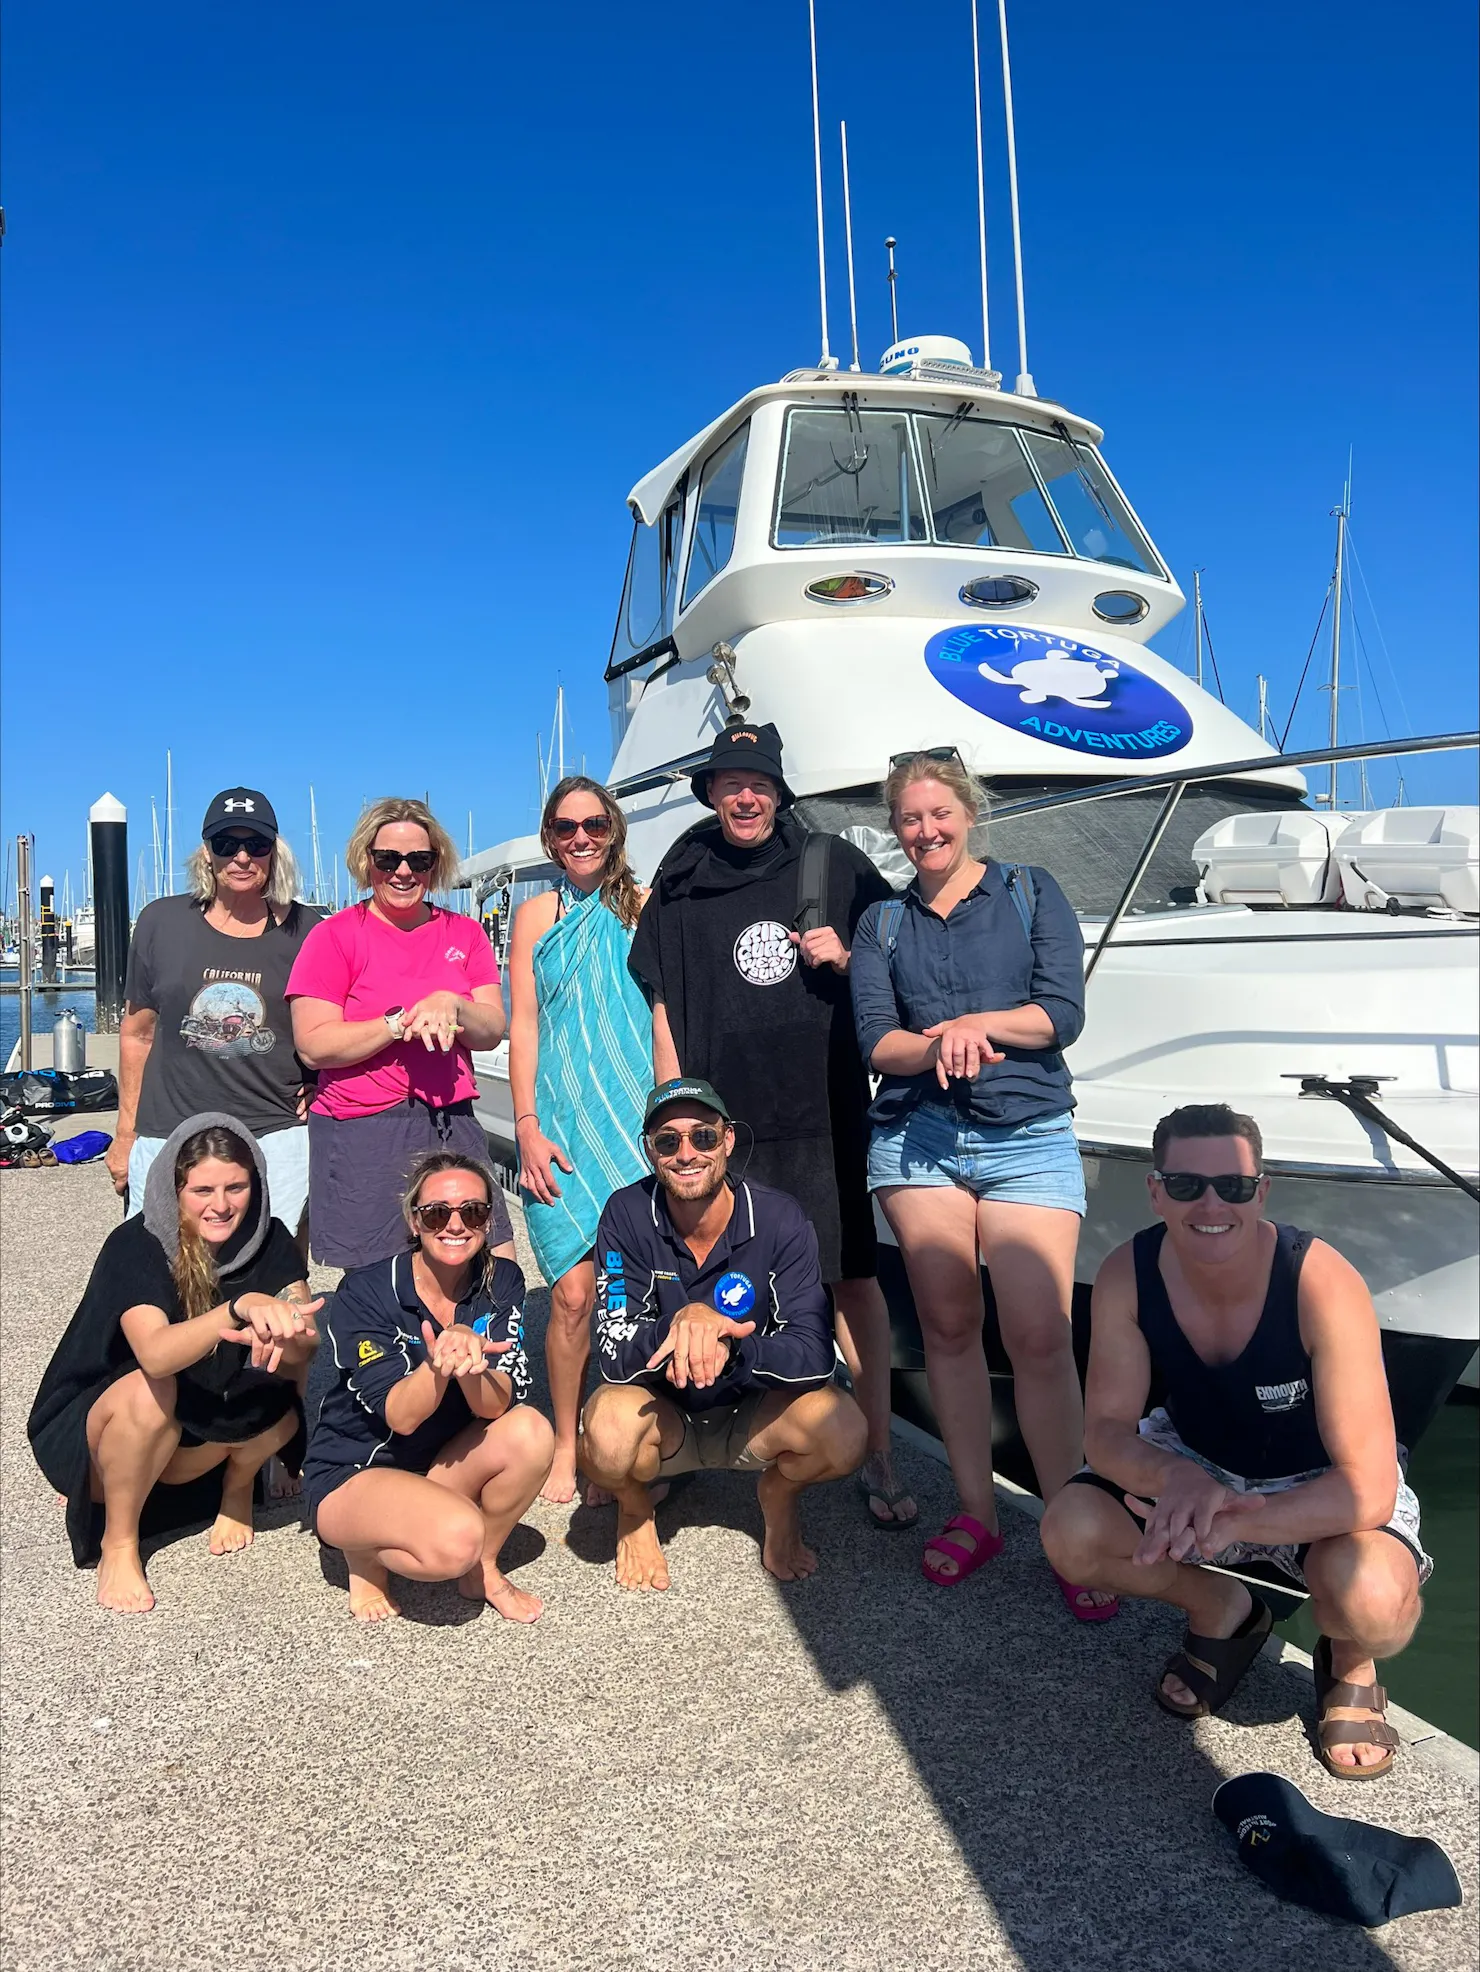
[[224, 1038]]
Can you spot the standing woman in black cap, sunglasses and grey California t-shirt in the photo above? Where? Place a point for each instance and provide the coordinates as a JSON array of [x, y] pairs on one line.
[[206, 1024]]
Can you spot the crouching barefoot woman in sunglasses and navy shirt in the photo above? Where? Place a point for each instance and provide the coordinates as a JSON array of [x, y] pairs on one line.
[[425, 1456]]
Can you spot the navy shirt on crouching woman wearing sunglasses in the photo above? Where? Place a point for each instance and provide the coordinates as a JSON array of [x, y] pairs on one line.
[[373, 1328]]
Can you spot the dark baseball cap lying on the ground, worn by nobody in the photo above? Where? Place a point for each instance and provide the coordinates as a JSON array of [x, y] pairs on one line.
[[1331, 1865]]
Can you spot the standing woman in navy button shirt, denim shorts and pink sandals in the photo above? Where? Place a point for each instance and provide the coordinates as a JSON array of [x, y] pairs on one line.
[[967, 993]]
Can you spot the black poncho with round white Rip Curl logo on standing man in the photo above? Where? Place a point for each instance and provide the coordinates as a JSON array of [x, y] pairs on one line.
[[772, 1034]]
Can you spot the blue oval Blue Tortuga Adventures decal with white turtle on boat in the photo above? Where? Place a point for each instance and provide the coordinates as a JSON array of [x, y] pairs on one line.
[[1059, 691]]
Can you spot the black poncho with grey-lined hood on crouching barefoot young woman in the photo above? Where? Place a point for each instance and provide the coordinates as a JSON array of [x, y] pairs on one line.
[[220, 1401]]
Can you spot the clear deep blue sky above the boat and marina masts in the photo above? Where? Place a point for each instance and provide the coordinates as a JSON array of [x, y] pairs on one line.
[[338, 334]]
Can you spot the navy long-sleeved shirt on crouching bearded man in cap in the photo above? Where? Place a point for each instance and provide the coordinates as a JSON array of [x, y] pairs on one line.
[[764, 1269]]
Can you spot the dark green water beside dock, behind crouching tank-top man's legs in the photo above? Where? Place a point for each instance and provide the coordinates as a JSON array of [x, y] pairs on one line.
[[1436, 1677]]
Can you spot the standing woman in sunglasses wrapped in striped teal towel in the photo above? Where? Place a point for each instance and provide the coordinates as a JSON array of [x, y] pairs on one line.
[[580, 1066]]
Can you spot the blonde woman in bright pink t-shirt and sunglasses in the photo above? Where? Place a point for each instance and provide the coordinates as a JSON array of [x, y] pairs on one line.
[[389, 1003]]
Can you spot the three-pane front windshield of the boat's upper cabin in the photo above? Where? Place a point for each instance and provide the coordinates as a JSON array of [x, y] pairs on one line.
[[852, 478]]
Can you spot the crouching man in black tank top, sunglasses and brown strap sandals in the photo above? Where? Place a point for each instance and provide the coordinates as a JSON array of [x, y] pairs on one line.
[[1274, 1441]]
